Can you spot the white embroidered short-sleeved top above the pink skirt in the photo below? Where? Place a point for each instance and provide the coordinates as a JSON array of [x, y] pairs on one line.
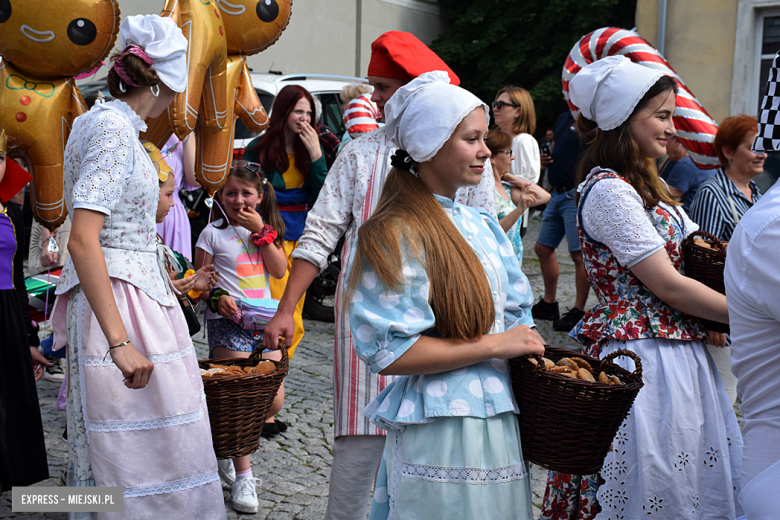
[[107, 170]]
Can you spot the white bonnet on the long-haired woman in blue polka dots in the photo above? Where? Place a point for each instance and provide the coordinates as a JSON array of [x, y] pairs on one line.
[[422, 115]]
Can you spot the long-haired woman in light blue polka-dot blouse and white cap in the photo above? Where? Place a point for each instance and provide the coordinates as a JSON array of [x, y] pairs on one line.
[[437, 296]]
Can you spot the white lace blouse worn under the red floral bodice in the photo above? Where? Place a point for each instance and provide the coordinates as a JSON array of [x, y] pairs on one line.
[[613, 213]]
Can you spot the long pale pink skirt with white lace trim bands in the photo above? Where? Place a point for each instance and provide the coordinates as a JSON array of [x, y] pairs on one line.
[[154, 442]]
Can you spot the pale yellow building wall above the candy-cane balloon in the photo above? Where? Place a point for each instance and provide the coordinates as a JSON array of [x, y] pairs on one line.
[[699, 46]]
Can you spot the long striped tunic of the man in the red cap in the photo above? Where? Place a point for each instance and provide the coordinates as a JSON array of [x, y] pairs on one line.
[[348, 198]]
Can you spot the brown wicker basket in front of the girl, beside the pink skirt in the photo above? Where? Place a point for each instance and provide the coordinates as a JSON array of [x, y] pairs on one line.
[[239, 404]]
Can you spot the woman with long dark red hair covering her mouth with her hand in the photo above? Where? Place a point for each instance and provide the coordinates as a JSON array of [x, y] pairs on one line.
[[291, 156]]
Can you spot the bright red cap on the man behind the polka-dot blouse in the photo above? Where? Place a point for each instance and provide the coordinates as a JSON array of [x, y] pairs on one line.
[[400, 55]]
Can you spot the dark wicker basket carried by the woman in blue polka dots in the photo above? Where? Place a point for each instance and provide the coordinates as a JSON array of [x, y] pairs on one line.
[[567, 425]]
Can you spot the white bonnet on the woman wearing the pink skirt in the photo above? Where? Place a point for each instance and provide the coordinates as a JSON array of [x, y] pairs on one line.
[[162, 40]]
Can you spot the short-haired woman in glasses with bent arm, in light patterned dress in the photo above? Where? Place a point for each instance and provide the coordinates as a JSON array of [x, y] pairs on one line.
[[513, 195]]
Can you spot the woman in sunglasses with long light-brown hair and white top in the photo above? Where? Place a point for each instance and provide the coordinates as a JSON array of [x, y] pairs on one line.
[[514, 113]]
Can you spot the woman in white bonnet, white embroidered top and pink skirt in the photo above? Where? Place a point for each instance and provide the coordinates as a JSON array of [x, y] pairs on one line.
[[137, 417]]
